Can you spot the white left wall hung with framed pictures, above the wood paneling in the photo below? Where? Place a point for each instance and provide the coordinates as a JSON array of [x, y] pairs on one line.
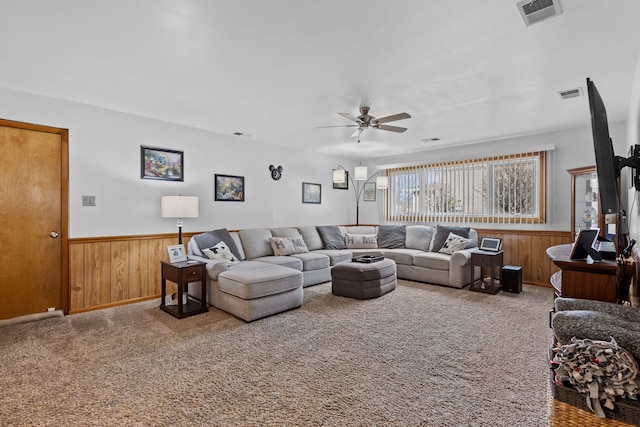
[[104, 161]]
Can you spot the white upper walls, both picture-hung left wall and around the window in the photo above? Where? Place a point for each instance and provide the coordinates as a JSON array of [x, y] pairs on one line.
[[104, 157]]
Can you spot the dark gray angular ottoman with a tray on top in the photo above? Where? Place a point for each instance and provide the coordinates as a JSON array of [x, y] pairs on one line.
[[363, 280]]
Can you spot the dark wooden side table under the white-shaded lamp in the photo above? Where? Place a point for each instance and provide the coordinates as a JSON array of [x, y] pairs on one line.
[[183, 273]]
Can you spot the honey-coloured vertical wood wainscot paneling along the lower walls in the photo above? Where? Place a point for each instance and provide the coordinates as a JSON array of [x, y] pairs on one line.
[[109, 271]]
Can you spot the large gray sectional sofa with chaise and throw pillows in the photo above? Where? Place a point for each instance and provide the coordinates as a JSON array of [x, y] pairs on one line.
[[257, 272]]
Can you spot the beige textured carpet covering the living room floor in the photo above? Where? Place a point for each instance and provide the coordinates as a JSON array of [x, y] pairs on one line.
[[421, 355]]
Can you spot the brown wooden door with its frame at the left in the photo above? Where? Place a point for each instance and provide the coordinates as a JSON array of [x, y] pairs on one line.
[[33, 218]]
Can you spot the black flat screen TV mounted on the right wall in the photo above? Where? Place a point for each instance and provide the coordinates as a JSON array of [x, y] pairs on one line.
[[606, 165]]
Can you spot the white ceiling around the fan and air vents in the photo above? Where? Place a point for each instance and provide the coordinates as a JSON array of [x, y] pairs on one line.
[[467, 71]]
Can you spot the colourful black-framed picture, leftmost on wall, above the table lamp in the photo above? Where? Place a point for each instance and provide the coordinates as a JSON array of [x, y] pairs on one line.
[[160, 163]]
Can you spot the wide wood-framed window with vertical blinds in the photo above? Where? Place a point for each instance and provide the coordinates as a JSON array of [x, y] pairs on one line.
[[507, 189]]
